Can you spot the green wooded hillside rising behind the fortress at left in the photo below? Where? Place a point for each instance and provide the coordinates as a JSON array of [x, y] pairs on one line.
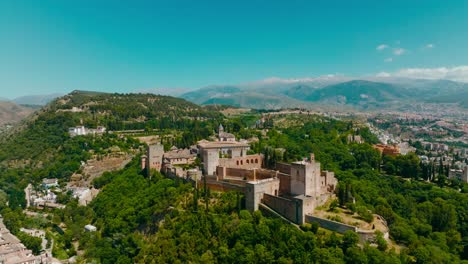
[[42, 135]]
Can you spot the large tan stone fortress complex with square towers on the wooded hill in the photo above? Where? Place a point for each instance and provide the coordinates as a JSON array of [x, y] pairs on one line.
[[291, 190]]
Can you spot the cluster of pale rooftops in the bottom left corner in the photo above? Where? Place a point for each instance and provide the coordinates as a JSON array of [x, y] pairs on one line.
[[12, 251]]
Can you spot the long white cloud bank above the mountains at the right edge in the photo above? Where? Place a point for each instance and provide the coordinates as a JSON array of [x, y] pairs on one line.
[[457, 73]]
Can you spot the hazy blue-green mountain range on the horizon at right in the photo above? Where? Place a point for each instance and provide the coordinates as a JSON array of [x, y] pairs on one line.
[[366, 93]]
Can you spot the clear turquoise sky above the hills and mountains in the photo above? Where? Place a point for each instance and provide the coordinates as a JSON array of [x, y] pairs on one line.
[[122, 46]]
